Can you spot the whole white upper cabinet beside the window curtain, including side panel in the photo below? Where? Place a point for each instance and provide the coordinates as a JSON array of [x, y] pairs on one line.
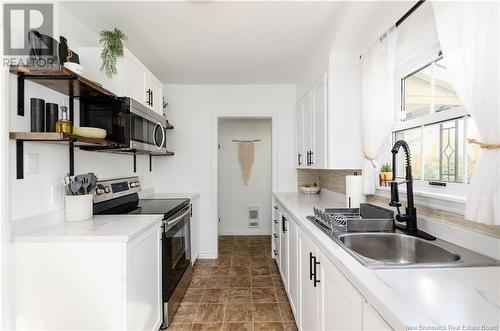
[[328, 121]]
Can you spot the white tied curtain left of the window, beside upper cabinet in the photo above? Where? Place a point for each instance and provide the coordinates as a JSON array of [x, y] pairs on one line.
[[377, 103]]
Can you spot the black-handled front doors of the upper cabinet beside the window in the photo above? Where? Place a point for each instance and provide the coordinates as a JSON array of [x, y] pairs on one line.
[[310, 126]]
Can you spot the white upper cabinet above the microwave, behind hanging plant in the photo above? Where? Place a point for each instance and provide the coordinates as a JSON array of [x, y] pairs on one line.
[[133, 78]]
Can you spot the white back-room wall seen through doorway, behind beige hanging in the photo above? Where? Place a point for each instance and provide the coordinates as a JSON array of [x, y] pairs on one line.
[[234, 196]]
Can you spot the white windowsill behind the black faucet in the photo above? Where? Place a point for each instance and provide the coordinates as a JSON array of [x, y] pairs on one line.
[[454, 203]]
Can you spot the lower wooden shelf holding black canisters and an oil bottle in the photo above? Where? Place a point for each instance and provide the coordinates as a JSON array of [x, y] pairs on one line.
[[62, 138]]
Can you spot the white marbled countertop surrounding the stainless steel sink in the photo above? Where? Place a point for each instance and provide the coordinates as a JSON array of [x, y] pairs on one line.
[[463, 297]]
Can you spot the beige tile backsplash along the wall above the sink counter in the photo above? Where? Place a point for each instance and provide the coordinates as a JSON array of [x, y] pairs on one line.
[[334, 180]]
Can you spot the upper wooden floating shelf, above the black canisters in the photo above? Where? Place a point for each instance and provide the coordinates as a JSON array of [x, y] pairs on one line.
[[63, 80]]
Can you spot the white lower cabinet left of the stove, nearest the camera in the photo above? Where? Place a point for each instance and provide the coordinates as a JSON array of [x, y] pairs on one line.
[[103, 286]]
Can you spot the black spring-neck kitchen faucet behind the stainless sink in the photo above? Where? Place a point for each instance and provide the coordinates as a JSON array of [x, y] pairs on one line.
[[410, 217]]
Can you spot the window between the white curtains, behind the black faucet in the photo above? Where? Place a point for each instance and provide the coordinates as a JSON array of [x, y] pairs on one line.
[[436, 127]]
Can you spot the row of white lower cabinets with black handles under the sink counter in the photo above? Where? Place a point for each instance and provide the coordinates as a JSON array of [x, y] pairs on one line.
[[321, 297]]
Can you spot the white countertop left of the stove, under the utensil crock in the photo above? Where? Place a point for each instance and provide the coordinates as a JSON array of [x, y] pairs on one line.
[[102, 228]]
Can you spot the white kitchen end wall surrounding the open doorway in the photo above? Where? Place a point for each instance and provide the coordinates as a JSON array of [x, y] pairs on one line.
[[193, 110]]
